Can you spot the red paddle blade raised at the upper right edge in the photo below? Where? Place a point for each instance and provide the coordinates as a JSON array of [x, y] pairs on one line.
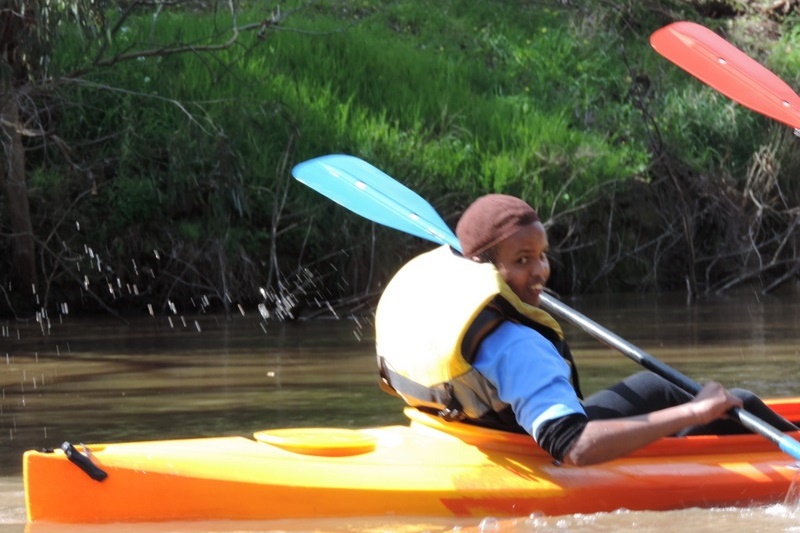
[[716, 62]]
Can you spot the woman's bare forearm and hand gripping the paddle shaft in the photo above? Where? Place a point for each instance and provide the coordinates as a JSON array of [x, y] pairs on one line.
[[604, 440]]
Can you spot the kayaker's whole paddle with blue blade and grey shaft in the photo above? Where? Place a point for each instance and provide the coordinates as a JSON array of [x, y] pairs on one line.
[[369, 192]]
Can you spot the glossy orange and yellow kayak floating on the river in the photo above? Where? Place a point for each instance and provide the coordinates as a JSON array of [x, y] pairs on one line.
[[427, 468]]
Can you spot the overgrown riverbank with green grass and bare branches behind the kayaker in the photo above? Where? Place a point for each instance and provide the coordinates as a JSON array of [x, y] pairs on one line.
[[147, 151]]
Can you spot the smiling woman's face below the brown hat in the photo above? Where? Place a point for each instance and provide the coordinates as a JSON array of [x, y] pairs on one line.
[[522, 262]]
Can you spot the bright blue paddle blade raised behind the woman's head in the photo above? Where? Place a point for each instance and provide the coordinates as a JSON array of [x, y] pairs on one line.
[[371, 193]]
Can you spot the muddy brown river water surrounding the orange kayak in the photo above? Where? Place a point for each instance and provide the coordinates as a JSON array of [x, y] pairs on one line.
[[175, 376]]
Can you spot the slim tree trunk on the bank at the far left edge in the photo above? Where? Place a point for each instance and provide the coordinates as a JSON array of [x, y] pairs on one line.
[[12, 181]]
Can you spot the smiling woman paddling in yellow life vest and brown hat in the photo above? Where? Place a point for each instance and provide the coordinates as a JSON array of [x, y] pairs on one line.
[[463, 336]]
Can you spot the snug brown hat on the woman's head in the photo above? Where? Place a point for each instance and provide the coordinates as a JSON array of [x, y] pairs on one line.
[[491, 219]]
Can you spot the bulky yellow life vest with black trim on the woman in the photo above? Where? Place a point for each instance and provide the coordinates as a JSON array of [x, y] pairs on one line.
[[429, 323]]
